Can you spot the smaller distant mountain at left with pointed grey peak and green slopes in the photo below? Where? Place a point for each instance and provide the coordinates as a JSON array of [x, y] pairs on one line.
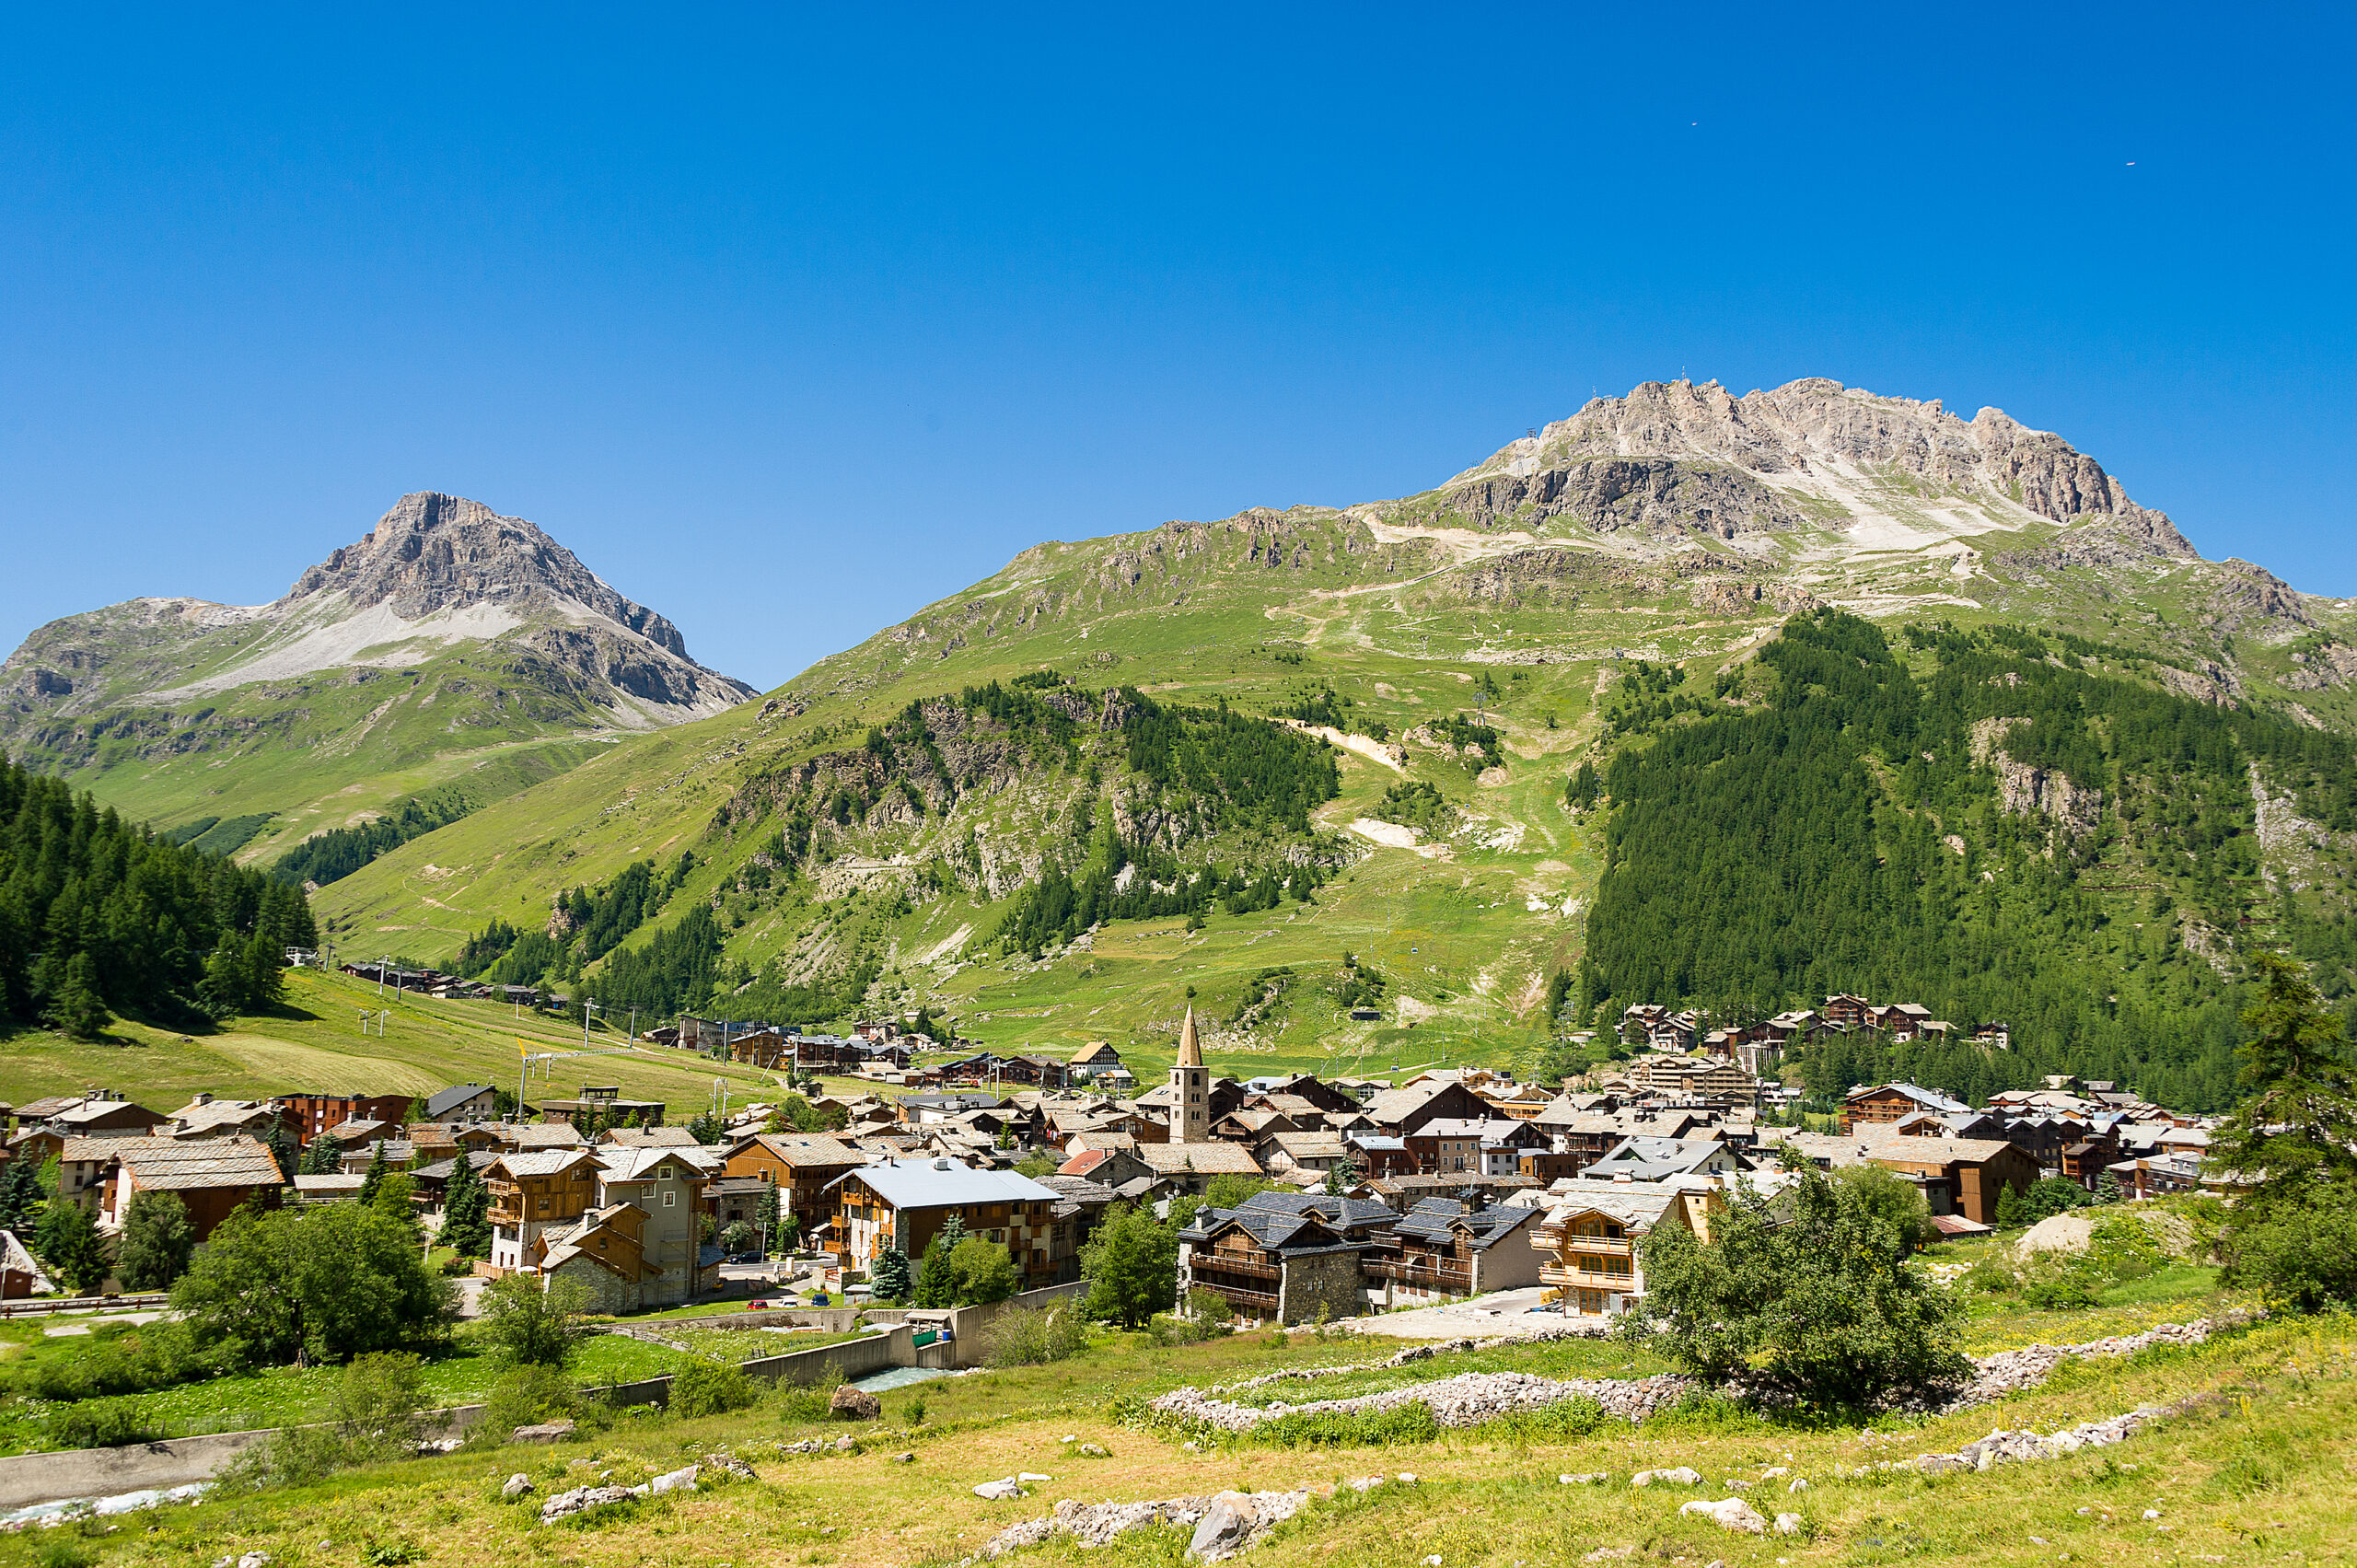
[[449, 647]]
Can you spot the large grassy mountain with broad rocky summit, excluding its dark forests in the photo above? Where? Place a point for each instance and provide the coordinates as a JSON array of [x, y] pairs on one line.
[[1465, 652]]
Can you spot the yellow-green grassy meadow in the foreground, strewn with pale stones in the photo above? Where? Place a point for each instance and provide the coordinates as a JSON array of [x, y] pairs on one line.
[[2257, 1468]]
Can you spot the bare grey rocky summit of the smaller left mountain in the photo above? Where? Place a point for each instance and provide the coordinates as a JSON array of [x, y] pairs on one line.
[[444, 553]]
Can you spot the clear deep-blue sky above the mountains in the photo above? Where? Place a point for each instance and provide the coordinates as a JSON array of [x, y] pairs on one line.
[[791, 324]]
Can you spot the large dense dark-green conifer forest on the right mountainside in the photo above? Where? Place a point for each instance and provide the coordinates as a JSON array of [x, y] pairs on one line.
[[1807, 843]]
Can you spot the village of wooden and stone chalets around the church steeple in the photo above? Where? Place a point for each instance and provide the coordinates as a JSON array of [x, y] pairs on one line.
[[1305, 1199]]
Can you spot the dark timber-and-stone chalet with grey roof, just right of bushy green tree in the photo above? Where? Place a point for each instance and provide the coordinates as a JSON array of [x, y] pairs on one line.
[[1283, 1258]]
